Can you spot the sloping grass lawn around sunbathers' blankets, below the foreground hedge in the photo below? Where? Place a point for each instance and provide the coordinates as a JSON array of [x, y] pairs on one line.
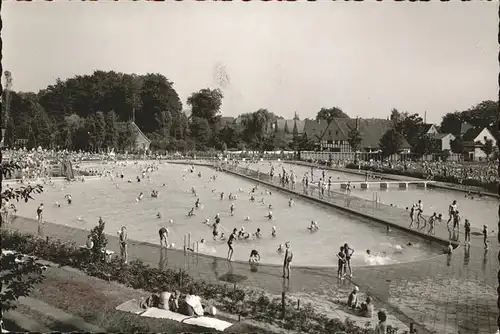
[[95, 300]]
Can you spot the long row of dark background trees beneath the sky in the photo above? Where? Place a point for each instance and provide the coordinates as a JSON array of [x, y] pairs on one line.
[[90, 112]]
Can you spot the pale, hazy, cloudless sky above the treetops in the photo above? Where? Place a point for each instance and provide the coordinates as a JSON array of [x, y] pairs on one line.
[[365, 58]]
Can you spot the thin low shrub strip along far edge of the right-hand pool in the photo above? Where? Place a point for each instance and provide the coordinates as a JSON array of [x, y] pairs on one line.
[[489, 186]]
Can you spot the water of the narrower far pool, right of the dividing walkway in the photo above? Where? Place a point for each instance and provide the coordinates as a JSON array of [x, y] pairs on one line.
[[479, 211]]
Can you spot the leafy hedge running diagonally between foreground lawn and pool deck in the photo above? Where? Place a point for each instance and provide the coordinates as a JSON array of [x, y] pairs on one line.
[[136, 274]]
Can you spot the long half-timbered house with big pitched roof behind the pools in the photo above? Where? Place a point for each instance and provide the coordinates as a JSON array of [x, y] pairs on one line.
[[335, 137]]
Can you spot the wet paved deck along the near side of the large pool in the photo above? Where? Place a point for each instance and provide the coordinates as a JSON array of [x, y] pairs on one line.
[[442, 294]]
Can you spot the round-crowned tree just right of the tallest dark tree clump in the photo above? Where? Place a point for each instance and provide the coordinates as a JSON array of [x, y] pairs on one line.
[[206, 104]]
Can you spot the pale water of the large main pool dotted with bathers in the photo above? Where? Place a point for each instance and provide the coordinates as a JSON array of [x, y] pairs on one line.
[[115, 200]]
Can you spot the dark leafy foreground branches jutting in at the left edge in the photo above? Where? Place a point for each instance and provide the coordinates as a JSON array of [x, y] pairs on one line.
[[19, 274]]
